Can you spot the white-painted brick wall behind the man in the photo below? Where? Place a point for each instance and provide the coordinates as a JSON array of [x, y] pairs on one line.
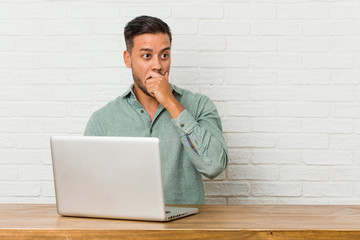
[[284, 75]]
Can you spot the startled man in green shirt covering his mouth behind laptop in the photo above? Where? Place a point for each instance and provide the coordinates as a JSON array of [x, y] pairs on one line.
[[187, 124]]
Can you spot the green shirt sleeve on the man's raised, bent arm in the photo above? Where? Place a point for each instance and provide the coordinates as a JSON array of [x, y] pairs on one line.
[[203, 140]]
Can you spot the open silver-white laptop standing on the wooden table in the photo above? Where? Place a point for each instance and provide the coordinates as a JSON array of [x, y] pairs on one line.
[[110, 177]]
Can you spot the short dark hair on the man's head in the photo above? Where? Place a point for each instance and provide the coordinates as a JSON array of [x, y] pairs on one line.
[[142, 25]]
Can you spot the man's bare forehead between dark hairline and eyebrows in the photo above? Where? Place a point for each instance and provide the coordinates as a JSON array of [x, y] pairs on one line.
[[152, 41]]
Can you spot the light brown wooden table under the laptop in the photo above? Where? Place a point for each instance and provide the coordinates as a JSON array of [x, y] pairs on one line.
[[212, 222]]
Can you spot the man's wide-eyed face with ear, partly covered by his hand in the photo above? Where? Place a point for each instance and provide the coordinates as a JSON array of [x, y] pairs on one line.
[[150, 54]]
